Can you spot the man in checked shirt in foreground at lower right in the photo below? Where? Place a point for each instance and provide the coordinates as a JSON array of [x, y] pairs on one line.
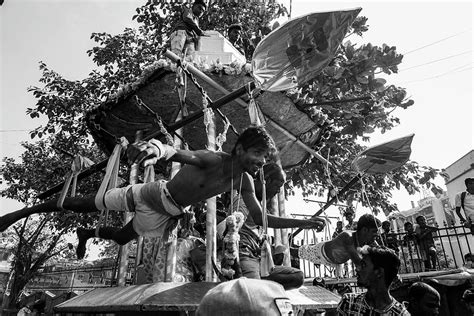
[[376, 271]]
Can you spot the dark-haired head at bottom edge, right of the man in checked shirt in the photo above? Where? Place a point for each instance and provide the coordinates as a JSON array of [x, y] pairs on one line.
[[424, 300]]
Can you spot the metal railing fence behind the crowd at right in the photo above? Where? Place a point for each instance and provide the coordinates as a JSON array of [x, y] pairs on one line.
[[451, 244]]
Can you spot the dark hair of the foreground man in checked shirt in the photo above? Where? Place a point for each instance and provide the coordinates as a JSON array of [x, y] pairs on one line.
[[386, 258]]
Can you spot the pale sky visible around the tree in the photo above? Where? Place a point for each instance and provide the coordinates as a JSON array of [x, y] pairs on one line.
[[435, 37]]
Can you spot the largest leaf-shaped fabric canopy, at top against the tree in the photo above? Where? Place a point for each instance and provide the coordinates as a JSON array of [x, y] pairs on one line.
[[299, 49]]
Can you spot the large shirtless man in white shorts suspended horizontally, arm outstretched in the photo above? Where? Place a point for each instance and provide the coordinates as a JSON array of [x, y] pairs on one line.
[[156, 204]]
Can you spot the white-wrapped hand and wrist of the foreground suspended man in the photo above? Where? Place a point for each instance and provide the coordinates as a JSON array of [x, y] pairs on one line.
[[149, 152]]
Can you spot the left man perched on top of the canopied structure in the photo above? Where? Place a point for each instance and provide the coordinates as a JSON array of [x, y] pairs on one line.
[[187, 31]]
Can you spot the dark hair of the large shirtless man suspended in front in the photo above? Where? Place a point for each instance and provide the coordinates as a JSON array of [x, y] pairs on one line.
[[256, 137]]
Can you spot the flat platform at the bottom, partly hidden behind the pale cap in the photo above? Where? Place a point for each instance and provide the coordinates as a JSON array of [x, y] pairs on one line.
[[176, 297]]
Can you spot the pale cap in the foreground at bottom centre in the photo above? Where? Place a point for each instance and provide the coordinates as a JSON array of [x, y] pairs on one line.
[[243, 297]]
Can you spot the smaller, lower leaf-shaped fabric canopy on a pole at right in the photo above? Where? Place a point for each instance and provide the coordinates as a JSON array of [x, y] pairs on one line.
[[385, 157]]
